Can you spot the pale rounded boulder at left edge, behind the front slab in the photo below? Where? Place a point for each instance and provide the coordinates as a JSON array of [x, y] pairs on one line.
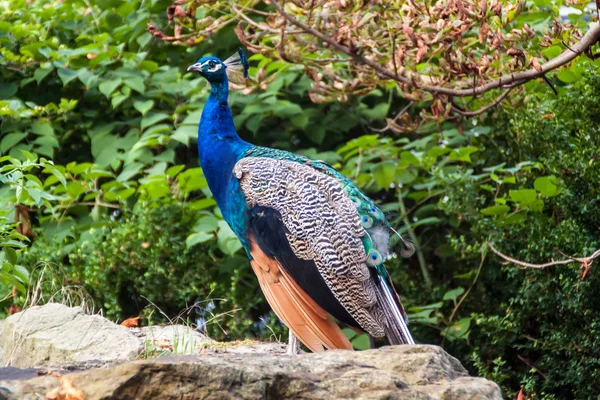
[[54, 334]]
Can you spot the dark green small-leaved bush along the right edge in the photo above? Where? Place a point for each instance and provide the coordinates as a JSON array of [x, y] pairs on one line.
[[539, 329]]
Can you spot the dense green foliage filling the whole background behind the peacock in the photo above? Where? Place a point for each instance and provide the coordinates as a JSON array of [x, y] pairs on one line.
[[101, 190]]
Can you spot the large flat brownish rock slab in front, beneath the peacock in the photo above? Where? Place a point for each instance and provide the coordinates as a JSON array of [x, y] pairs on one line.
[[396, 372]]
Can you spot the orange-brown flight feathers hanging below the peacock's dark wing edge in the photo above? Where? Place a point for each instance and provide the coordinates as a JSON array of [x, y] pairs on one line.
[[309, 322]]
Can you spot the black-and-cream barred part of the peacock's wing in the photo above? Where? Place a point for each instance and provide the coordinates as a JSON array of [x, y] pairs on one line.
[[322, 225]]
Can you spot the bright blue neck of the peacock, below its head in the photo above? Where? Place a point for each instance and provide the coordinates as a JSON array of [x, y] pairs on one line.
[[219, 145]]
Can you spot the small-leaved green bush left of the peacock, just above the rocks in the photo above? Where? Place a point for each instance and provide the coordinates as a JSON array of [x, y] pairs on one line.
[[141, 258]]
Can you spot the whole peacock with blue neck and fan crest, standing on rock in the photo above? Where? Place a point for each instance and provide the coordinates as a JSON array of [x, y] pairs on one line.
[[316, 243]]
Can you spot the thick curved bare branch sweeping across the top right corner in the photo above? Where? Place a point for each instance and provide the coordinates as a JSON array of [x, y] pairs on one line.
[[507, 81]]
